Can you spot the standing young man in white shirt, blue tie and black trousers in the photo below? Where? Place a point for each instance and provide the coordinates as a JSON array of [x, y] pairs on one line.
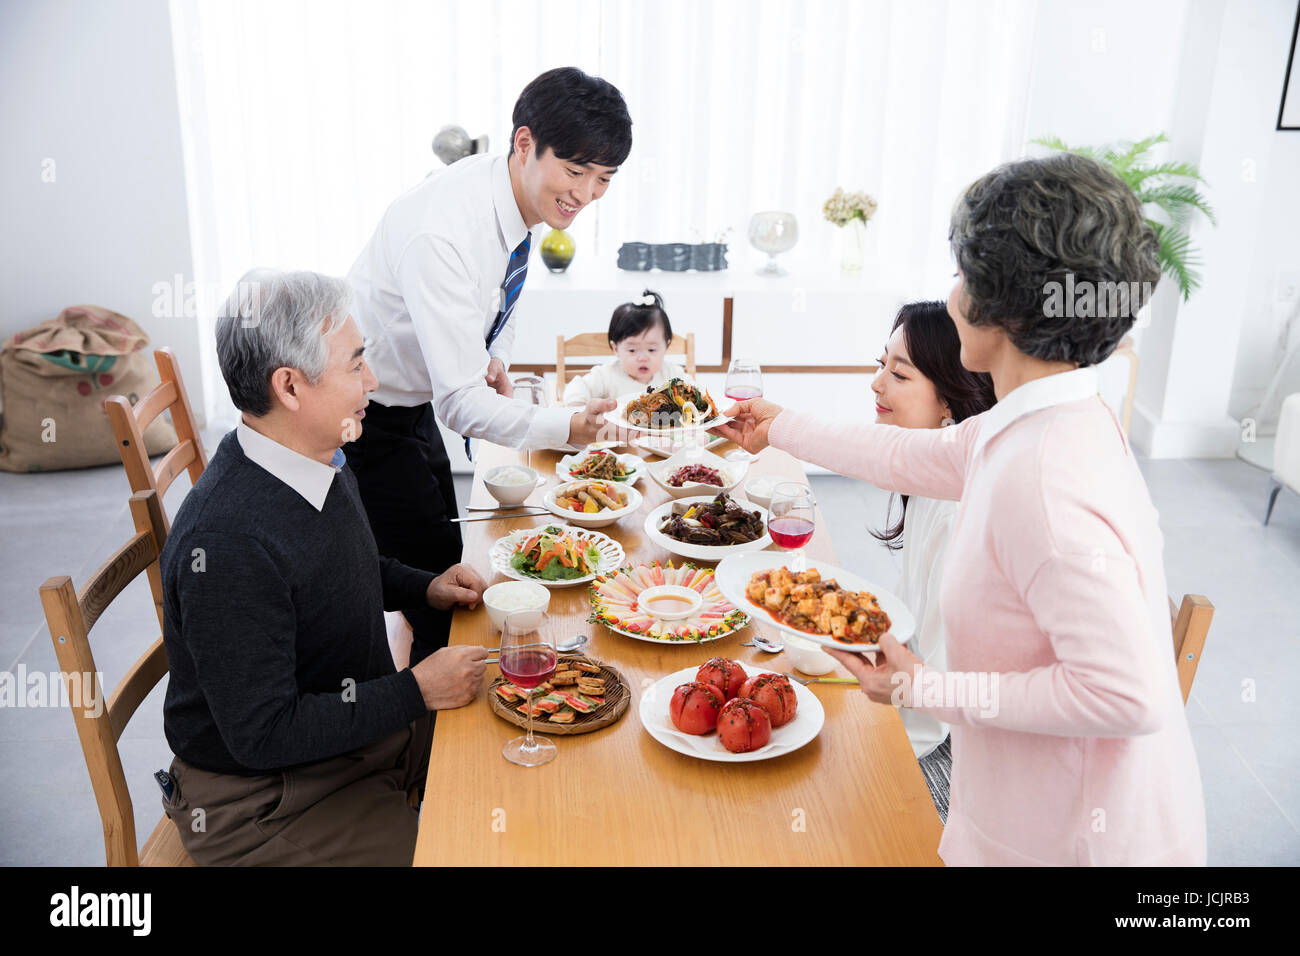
[[435, 292]]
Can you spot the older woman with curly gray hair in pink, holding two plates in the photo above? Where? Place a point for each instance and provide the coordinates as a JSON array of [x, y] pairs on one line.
[[1071, 745]]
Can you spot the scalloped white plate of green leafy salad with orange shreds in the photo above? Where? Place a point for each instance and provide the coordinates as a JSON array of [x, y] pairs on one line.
[[556, 556]]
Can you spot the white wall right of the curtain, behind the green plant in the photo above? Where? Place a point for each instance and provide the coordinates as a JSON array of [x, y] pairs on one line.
[[1210, 75]]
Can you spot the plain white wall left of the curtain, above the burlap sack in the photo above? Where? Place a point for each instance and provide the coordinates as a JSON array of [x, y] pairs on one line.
[[93, 88]]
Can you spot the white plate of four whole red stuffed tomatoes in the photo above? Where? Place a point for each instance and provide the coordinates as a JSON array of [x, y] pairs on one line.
[[730, 712]]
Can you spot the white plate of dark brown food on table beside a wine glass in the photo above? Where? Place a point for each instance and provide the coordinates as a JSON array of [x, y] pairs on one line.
[[709, 527]]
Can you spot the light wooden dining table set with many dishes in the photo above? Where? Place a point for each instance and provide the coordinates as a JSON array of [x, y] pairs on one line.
[[855, 795]]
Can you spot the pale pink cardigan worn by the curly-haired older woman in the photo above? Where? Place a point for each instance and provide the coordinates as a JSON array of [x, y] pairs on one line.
[[1055, 582]]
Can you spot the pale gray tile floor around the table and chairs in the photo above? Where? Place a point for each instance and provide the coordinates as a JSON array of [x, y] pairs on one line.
[[1243, 710]]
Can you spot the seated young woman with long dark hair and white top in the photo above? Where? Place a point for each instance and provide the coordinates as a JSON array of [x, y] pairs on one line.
[[924, 384]]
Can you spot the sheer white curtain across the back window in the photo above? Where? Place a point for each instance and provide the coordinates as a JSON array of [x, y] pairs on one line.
[[305, 120]]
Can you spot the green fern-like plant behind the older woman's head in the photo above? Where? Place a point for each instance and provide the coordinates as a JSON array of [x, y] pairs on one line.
[[1158, 185]]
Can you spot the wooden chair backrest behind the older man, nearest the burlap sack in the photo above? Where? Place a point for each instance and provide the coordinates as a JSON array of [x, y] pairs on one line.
[[129, 425]]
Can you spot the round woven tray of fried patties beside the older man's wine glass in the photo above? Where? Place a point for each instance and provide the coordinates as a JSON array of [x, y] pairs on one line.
[[582, 697]]
